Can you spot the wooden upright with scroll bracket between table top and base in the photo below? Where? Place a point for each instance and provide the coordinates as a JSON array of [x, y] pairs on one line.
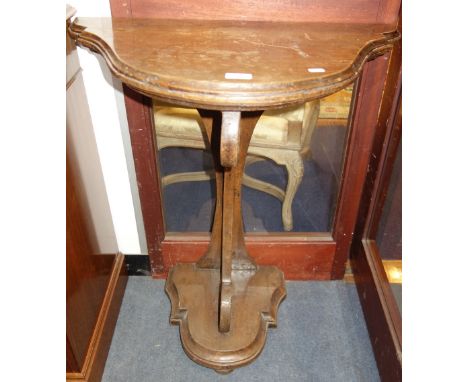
[[227, 251]]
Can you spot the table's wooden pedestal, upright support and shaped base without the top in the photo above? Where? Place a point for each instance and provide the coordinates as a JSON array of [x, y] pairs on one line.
[[224, 303]]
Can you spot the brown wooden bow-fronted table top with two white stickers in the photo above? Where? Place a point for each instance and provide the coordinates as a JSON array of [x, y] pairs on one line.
[[233, 65]]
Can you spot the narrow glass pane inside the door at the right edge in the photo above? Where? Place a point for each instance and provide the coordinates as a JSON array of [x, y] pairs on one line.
[[389, 237]]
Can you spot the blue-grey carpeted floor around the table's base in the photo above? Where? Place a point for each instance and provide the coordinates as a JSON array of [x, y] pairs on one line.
[[321, 336]]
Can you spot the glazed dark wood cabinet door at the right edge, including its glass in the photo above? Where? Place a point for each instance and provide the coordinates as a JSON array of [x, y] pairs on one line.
[[376, 251]]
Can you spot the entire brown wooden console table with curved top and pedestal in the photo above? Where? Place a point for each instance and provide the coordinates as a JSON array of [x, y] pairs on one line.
[[231, 71]]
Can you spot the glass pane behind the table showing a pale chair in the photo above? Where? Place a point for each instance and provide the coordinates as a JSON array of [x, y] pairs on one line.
[[293, 168]]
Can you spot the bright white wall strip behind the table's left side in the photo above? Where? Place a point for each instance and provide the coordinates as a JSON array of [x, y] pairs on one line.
[[109, 121]]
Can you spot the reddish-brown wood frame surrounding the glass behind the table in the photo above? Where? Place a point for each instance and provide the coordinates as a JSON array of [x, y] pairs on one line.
[[316, 256]]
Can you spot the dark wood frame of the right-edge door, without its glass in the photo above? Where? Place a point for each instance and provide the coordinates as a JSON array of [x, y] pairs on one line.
[[380, 308]]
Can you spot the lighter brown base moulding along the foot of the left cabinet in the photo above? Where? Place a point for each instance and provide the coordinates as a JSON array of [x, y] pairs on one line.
[[98, 349]]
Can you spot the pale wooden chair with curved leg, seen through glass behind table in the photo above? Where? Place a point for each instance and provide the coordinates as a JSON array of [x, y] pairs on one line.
[[280, 135]]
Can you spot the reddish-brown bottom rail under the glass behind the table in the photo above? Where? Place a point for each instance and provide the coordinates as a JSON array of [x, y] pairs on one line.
[[299, 259]]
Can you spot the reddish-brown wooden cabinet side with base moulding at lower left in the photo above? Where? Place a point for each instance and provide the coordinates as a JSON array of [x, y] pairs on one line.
[[95, 286]]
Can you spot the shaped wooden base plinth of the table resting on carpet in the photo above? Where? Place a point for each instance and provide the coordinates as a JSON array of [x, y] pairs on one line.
[[194, 295]]
